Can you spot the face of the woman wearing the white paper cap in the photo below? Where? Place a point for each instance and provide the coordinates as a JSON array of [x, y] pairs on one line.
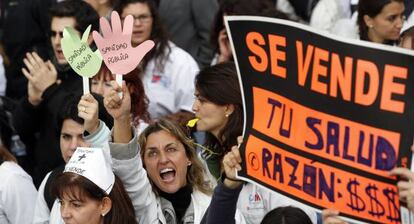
[[75, 210]]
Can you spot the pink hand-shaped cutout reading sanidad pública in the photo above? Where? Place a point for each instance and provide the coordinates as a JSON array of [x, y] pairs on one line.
[[115, 45]]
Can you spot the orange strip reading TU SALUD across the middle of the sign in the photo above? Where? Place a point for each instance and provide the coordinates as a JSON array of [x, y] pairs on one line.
[[338, 140]]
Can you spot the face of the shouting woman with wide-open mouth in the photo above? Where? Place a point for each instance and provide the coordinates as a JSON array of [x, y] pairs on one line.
[[166, 161]]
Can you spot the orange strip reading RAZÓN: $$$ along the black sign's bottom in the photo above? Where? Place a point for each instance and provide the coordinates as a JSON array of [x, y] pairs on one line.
[[323, 185]]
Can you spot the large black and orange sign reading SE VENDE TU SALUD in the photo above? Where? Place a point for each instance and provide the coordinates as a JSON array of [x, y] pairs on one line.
[[326, 118]]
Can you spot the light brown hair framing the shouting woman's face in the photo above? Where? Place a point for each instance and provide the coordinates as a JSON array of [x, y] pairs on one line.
[[195, 172]]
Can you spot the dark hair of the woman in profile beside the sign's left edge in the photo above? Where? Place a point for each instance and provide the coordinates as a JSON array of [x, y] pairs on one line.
[[219, 84]]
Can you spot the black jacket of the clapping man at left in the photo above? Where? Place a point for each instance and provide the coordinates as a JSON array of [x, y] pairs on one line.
[[42, 119]]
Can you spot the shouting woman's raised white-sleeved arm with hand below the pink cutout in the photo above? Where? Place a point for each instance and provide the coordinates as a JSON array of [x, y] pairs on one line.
[[127, 163]]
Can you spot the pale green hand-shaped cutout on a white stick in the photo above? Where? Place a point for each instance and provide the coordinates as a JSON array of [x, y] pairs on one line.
[[79, 56]]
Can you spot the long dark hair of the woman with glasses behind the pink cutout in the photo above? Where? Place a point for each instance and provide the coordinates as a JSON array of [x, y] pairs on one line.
[[161, 50]]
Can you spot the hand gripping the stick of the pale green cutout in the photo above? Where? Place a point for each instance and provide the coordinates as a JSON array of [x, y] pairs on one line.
[[88, 109]]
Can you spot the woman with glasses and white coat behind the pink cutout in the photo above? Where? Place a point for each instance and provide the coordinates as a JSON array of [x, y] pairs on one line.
[[167, 71]]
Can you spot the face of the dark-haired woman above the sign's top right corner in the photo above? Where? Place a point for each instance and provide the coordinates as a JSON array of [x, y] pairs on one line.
[[387, 24]]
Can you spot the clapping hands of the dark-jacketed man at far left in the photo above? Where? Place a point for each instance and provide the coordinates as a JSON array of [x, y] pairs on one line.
[[40, 74]]
